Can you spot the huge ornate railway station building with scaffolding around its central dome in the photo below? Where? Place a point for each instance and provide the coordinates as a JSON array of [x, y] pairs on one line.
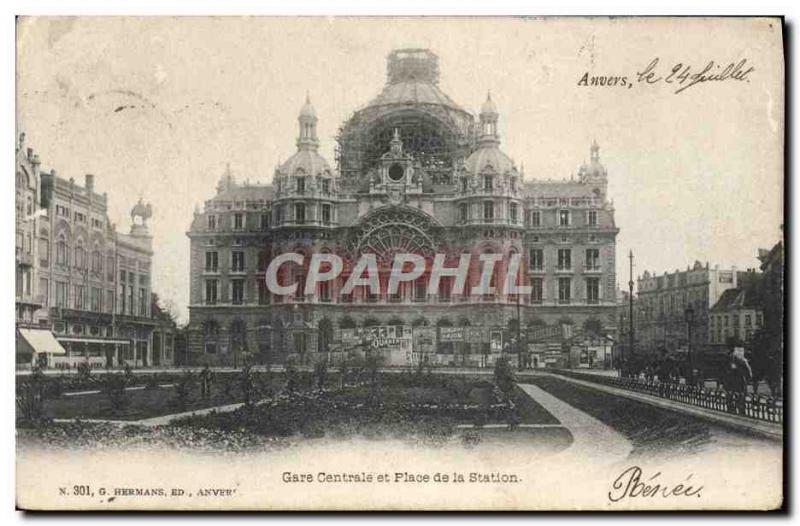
[[413, 172]]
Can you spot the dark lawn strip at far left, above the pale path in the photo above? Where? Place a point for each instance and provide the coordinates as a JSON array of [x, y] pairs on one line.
[[144, 403]]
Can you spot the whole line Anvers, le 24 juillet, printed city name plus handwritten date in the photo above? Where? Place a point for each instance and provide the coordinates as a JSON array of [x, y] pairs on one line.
[[680, 75]]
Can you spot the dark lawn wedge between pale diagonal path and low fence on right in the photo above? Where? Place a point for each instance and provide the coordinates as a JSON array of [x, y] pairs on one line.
[[651, 430]]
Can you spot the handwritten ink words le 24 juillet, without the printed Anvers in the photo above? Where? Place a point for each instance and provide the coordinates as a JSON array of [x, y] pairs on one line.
[[684, 76]]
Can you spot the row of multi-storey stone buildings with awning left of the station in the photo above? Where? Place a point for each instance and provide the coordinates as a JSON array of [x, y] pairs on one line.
[[79, 277]]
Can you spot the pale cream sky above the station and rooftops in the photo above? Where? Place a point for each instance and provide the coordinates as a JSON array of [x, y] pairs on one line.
[[696, 175]]
